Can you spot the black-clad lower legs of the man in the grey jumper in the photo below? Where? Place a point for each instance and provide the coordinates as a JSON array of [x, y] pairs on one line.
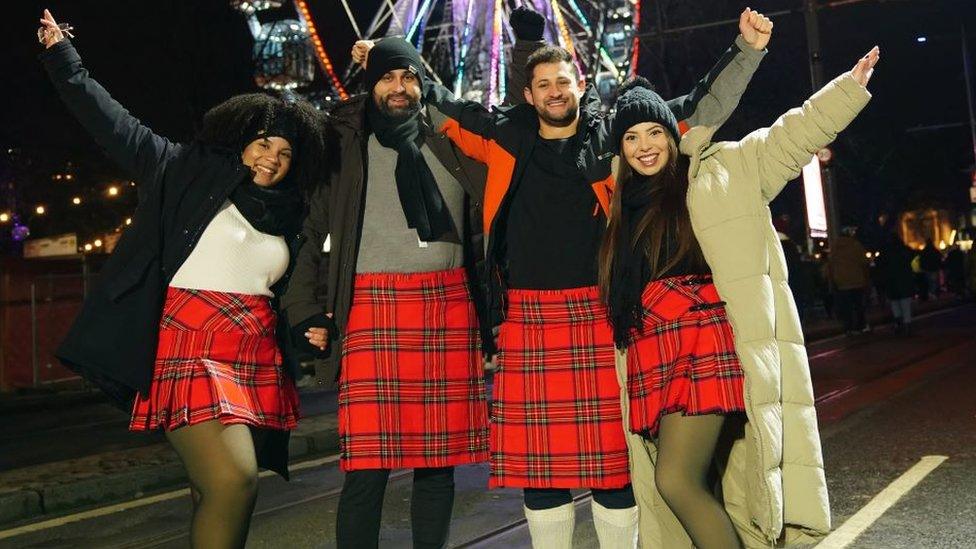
[[361, 507]]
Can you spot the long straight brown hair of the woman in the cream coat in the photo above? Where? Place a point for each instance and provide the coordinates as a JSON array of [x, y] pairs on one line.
[[667, 211]]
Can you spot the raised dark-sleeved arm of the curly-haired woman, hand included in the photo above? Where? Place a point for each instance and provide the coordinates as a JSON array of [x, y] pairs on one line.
[[125, 140]]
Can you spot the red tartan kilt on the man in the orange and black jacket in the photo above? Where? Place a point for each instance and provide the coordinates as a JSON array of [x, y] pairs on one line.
[[556, 419]]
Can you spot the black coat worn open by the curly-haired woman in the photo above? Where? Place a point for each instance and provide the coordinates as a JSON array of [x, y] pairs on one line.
[[181, 187]]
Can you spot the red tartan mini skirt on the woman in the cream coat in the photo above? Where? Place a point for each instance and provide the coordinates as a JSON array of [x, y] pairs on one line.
[[683, 359]]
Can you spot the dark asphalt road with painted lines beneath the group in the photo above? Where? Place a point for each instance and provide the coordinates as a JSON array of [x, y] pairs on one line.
[[884, 404]]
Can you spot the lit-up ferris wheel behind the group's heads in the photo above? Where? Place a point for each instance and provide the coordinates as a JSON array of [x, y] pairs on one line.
[[466, 44]]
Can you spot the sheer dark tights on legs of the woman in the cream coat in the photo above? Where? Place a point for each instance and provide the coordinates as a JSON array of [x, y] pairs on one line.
[[686, 445]]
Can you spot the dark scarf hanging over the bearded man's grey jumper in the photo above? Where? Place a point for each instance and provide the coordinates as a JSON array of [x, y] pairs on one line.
[[420, 198]]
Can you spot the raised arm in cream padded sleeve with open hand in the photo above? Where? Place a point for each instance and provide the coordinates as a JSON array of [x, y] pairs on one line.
[[778, 153]]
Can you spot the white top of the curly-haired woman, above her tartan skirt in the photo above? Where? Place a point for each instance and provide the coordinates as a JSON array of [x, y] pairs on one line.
[[232, 256]]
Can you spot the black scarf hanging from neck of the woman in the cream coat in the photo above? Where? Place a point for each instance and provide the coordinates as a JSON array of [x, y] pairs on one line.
[[631, 270]]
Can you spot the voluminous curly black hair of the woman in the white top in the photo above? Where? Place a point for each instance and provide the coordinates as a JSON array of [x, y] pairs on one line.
[[228, 125]]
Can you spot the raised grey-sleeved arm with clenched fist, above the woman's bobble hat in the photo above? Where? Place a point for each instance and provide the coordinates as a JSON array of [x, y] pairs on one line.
[[715, 97]]
